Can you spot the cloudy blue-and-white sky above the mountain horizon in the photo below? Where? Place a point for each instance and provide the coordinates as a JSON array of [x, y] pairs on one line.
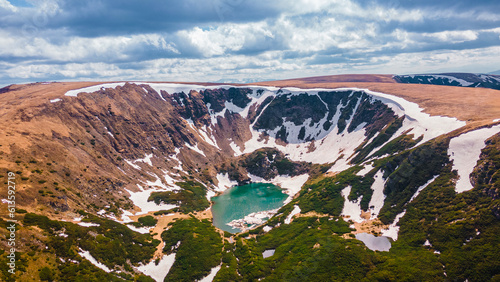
[[243, 40]]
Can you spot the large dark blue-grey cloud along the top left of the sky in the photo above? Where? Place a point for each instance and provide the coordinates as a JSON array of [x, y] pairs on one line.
[[124, 17]]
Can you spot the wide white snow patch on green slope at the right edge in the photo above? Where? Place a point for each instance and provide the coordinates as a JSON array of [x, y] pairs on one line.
[[465, 150]]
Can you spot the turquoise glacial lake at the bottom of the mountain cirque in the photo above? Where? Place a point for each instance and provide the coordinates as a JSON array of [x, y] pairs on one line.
[[240, 201]]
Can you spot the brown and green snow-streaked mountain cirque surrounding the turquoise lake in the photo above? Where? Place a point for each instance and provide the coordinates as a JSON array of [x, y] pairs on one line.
[[352, 160]]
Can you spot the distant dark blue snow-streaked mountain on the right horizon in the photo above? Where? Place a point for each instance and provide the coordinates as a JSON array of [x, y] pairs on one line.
[[453, 79]]
